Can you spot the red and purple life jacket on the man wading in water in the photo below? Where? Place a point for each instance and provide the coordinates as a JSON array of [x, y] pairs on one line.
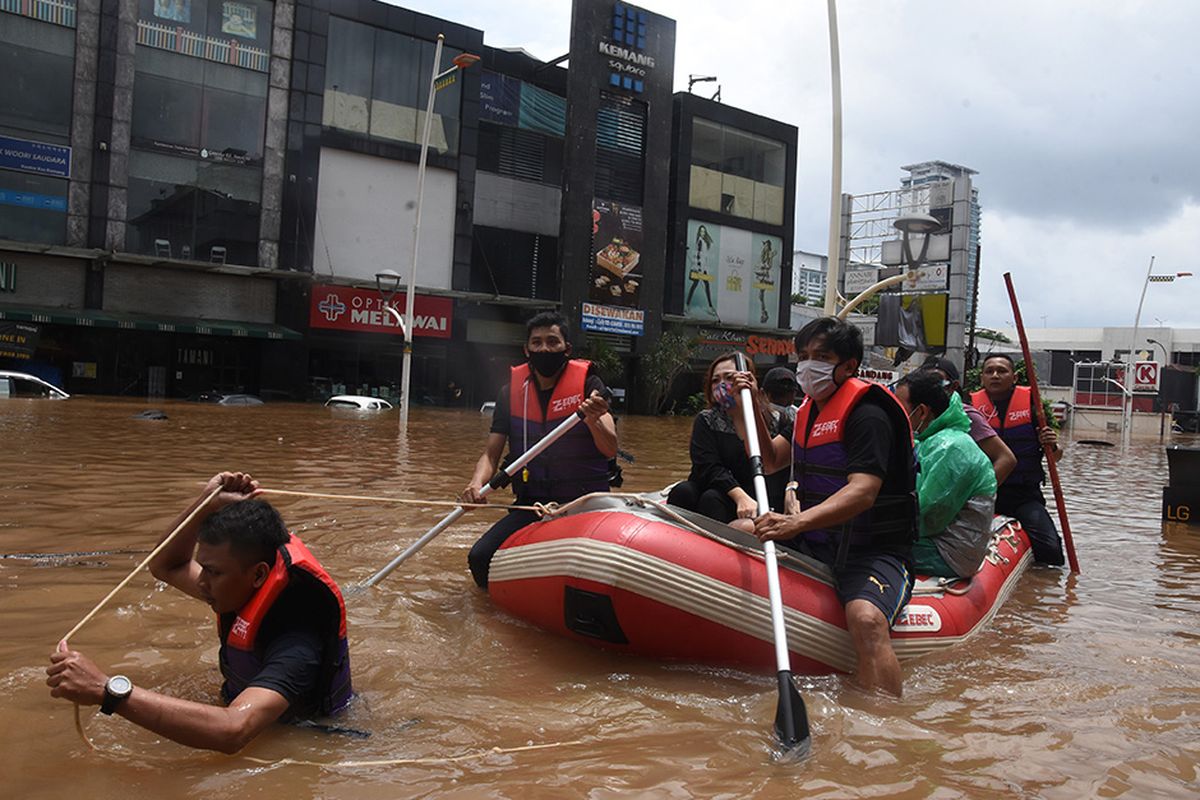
[[242, 660]]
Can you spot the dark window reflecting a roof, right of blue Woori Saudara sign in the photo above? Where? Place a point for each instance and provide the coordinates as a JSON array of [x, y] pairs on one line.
[[183, 208]]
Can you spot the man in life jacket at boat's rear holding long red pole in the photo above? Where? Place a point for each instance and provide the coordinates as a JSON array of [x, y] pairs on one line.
[[1010, 411]]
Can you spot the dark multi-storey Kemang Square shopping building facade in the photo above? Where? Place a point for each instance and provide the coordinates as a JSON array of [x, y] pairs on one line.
[[199, 195]]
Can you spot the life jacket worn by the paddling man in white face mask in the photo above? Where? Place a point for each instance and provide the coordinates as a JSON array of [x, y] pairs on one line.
[[820, 470]]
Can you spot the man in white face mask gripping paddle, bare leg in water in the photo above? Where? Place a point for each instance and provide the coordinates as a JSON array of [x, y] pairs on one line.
[[854, 478]]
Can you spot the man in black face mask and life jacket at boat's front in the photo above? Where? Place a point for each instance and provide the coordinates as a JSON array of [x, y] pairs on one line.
[[542, 394]]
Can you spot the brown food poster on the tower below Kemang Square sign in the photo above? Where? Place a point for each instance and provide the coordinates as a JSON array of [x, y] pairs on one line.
[[617, 244]]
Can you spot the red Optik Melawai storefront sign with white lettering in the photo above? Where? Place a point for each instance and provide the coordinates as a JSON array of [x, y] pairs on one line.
[[349, 309]]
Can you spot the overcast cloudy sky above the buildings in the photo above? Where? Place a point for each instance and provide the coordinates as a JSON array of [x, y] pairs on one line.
[[1082, 117]]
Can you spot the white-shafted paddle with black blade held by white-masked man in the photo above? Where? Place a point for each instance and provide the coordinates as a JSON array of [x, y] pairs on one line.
[[791, 717]]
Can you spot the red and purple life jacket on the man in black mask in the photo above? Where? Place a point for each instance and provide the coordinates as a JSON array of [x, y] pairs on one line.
[[573, 466]]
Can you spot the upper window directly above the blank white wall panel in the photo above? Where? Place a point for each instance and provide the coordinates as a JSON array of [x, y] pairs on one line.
[[377, 85]]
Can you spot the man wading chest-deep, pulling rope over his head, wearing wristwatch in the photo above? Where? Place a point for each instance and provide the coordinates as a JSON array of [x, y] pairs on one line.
[[280, 617]]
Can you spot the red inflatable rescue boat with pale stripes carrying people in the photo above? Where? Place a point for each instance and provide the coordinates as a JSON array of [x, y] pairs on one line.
[[656, 581]]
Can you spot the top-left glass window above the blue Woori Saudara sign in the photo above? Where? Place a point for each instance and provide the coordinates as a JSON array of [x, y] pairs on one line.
[[38, 69]]
